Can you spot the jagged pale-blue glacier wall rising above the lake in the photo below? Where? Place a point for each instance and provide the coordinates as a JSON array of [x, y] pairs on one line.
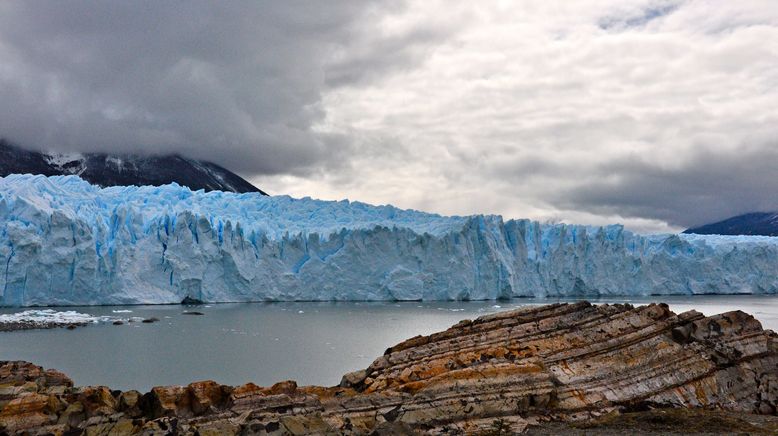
[[66, 242]]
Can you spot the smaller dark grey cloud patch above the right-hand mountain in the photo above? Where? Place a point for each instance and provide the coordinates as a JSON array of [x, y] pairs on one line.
[[710, 185]]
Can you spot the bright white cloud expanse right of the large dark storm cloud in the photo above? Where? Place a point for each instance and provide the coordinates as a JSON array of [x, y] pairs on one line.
[[588, 111]]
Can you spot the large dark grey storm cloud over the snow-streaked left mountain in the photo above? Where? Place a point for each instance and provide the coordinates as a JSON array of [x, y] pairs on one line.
[[238, 83]]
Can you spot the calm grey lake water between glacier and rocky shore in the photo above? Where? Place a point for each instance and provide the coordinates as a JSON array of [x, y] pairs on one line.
[[313, 343]]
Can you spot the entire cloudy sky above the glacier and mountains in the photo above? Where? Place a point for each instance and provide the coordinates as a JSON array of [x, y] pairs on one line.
[[660, 115]]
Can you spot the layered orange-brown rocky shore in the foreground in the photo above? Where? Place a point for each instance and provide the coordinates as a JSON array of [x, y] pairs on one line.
[[535, 369]]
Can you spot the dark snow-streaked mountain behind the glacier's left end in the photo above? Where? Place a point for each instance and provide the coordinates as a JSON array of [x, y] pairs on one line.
[[123, 170]]
